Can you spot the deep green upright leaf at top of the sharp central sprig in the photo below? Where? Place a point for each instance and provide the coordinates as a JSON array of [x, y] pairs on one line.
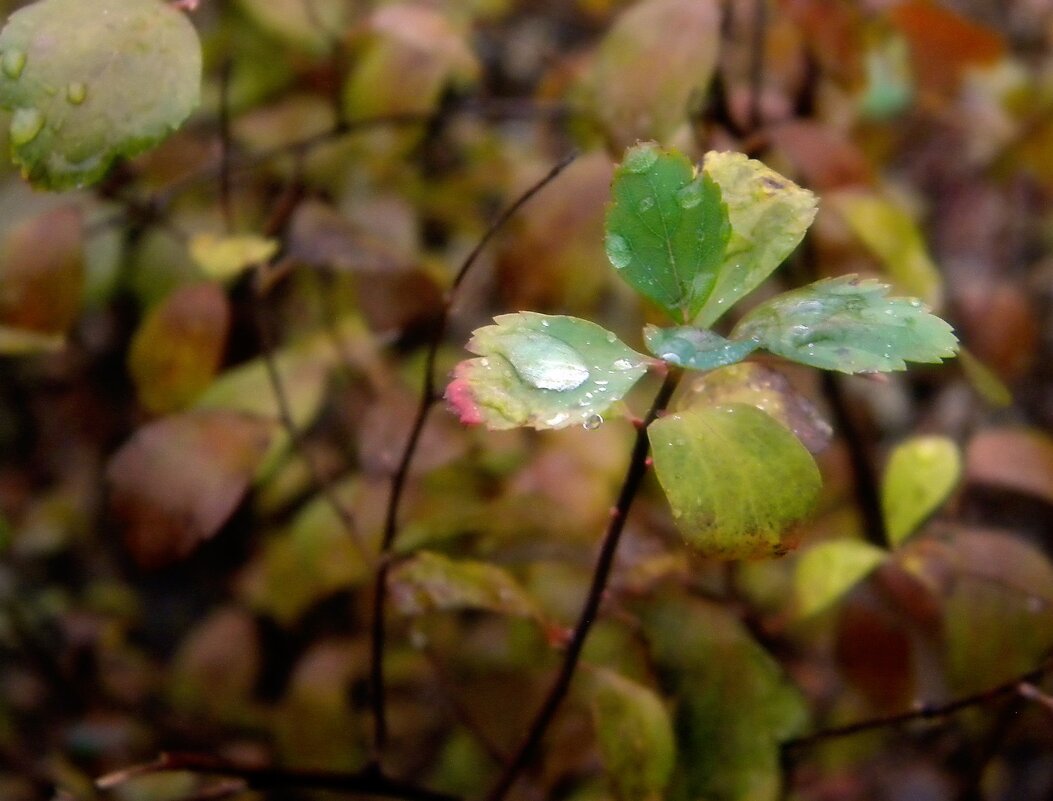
[[666, 229]]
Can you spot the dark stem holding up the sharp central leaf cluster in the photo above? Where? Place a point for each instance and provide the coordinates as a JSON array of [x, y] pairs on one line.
[[630, 488]]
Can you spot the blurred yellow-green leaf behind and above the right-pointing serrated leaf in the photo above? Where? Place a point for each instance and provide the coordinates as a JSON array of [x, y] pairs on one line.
[[893, 237]]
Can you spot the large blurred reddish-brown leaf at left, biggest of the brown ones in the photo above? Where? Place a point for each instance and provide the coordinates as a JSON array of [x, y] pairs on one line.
[[180, 479]]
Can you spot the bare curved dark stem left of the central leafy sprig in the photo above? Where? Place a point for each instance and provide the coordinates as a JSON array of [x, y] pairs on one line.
[[427, 400]]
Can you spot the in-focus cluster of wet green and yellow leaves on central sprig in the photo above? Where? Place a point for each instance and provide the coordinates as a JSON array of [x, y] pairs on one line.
[[696, 242]]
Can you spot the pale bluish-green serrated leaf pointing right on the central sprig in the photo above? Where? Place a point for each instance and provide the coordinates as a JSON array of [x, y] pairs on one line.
[[849, 325]]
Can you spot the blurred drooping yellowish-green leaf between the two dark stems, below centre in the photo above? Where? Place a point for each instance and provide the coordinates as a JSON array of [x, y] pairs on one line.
[[429, 582]]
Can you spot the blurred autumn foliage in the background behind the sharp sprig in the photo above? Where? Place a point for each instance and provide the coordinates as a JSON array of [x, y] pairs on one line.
[[175, 574]]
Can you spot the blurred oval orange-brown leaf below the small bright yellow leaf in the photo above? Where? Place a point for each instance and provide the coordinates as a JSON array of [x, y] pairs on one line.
[[180, 347]]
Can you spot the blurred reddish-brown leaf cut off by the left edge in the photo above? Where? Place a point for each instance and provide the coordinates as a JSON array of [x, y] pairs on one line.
[[42, 272]]
